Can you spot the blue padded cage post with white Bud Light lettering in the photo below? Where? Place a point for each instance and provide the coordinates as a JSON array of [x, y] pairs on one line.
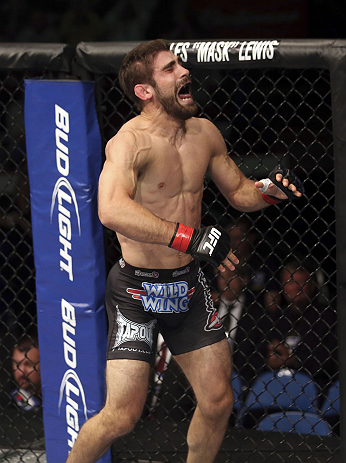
[[64, 160]]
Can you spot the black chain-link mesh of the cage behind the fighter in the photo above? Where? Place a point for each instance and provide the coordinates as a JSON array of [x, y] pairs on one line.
[[267, 117]]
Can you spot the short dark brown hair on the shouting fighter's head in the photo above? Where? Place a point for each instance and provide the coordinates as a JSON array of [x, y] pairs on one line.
[[137, 67]]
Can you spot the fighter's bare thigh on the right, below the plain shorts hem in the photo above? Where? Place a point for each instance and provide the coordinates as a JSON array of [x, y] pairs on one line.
[[208, 369]]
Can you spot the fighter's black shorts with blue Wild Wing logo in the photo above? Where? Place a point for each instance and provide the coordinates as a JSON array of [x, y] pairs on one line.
[[177, 302]]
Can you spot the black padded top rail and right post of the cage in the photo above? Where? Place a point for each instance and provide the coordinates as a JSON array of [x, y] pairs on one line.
[[96, 59]]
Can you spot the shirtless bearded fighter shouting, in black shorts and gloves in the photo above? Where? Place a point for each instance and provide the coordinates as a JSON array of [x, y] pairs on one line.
[[150, 193]]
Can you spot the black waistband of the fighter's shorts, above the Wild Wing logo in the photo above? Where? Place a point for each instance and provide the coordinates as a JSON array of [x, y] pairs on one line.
[[158, 274]]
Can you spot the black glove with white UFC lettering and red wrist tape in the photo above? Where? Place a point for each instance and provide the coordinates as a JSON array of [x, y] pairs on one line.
[[211, 243]]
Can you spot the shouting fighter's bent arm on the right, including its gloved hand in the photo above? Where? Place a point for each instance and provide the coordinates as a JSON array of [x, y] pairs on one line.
[[242, 193]]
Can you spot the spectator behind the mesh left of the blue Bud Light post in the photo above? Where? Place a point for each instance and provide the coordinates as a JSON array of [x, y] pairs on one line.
[[26, 374]]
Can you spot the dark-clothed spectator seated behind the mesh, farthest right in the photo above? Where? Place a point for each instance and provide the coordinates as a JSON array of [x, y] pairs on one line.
[[302, 335]]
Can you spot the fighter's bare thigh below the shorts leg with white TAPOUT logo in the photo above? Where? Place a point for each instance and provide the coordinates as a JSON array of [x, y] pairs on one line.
[[127, 384]]
